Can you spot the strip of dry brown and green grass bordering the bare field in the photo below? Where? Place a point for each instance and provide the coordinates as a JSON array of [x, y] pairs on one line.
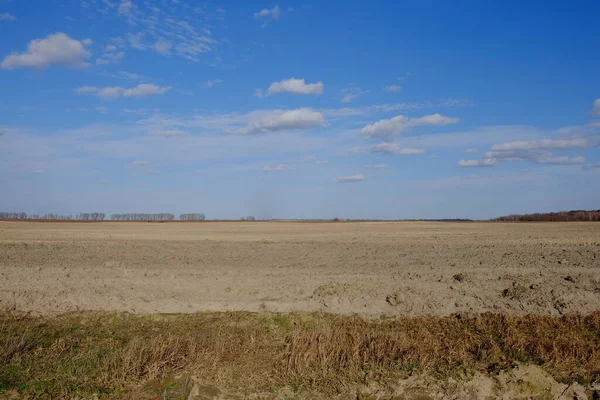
[[113, 353]]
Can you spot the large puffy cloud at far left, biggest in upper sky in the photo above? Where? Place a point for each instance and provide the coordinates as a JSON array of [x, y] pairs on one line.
[[57, 48]]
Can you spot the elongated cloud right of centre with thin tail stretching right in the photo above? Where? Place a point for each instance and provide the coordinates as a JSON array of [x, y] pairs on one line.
[[386, 129]]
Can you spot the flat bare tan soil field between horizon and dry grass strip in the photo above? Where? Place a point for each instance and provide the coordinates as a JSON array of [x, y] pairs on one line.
[[368, 268]]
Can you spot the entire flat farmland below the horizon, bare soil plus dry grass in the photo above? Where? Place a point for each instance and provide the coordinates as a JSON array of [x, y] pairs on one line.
[[536, 285]]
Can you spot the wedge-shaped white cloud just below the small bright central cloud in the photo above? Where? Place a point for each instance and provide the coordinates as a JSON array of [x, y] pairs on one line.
[[280, 120]]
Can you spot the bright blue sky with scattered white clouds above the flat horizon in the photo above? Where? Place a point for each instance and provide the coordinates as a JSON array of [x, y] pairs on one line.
[[418, 109]]
